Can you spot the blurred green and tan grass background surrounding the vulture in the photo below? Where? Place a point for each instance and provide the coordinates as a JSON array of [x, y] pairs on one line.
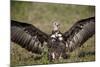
[[41, 15]]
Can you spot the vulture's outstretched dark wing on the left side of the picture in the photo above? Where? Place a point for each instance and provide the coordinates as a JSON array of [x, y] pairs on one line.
[[27, 36]]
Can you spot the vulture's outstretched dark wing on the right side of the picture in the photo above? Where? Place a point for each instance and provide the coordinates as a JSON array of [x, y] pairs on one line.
[[79, 33]]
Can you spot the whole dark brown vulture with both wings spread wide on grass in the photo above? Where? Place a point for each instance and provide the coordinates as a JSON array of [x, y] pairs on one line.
[[59, 44]]
